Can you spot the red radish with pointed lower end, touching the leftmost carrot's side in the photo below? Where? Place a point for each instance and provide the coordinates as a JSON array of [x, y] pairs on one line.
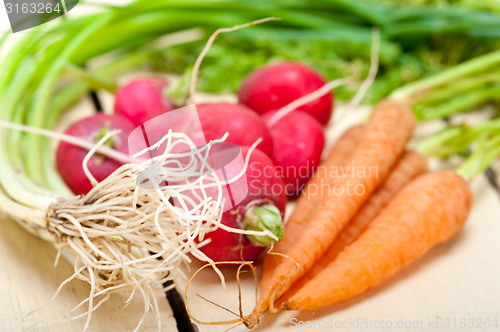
[[298, 142]]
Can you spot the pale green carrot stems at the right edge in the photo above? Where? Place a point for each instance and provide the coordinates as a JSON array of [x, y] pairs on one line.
[[459, 90]]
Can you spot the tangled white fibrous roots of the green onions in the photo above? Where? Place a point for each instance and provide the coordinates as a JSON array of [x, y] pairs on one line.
[[133, 229]]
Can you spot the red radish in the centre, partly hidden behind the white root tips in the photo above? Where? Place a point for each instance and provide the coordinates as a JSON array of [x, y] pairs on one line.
[[242, 124]]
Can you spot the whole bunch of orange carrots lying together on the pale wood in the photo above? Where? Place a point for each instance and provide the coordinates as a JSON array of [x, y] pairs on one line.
[[340, 244]]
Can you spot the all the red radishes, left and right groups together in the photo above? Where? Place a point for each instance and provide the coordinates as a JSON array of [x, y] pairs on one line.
[[289, 146]]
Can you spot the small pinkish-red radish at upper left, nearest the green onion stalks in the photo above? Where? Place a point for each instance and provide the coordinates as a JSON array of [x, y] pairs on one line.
[[142, 99]]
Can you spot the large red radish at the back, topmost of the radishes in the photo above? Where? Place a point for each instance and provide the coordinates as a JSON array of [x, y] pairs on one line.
[[276, 85]]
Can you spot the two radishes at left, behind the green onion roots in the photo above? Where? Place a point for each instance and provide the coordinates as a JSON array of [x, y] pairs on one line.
[[136, 102]]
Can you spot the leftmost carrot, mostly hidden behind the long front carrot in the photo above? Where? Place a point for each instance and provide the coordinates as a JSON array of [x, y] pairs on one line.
[[338, 156]]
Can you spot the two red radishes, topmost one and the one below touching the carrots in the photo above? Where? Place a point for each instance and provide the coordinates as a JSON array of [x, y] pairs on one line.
[[298, 137]]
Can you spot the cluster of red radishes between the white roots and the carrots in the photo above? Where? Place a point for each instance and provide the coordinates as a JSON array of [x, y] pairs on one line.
[[294, 141]]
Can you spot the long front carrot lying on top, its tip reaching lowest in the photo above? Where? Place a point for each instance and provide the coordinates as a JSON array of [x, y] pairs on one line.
[[389, 129]]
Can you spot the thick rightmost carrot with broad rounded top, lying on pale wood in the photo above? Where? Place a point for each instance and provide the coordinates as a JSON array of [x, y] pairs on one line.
[[427, 212]]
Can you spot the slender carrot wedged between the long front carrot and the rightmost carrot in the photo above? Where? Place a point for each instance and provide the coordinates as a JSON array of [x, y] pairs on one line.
[[411, 165]]
